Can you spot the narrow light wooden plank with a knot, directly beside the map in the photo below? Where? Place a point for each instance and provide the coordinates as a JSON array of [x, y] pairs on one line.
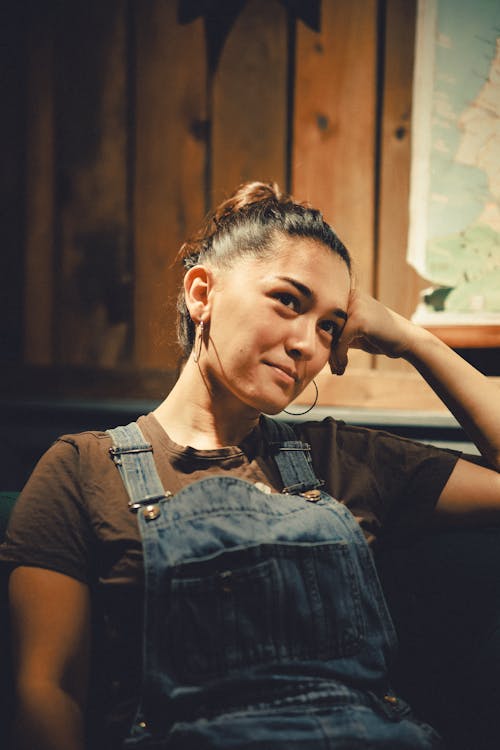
[[397, 284]]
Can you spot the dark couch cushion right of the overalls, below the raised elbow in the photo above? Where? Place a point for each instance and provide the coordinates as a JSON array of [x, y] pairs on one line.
[[443, 591]]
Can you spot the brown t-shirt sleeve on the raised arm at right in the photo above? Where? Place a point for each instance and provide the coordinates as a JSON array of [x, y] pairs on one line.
[[390, 483]]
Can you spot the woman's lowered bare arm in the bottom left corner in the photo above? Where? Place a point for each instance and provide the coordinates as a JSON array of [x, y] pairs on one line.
[[50, 617]]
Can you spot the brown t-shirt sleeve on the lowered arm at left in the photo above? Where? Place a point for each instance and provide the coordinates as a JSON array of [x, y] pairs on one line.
[[49, 526]]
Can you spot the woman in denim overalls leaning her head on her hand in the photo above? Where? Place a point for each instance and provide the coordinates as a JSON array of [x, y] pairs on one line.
[[265, 624]]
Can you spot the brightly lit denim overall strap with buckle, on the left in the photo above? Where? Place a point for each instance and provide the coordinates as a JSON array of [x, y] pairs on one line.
[[133, 457]]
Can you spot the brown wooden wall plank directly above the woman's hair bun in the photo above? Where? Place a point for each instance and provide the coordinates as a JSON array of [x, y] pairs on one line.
[[249, 130]]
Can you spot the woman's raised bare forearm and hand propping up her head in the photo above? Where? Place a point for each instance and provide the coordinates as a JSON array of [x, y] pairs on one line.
[[470, 396]]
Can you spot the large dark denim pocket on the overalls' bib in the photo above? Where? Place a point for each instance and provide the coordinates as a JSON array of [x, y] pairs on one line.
[[251, 606]]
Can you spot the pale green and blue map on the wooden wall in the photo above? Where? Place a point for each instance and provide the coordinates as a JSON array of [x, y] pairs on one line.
[[454, 238]]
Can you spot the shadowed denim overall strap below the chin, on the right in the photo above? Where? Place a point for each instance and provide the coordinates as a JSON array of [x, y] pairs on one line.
[[292, 457]]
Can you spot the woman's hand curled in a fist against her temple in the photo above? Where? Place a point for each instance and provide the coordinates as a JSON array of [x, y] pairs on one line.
[[373, 328]]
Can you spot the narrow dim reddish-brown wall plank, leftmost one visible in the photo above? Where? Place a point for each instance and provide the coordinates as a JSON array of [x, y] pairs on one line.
[[39, 243]]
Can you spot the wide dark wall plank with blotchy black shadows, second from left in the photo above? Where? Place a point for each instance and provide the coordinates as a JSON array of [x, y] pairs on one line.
[[93, 287]]
